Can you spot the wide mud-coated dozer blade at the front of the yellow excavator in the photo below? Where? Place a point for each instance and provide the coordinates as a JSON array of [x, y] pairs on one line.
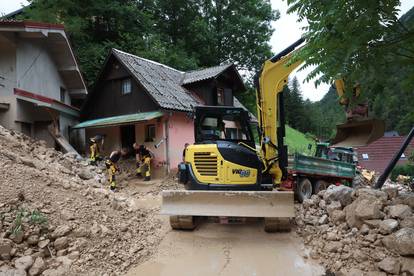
[[267, 204]]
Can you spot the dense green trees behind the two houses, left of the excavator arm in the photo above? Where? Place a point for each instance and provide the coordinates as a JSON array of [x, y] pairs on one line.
[[183, 34]]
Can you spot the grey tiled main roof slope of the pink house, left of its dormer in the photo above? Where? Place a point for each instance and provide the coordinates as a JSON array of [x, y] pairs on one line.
[[162, 82]]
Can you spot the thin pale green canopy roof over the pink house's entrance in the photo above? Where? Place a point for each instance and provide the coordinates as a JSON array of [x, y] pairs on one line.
[[120, 120]]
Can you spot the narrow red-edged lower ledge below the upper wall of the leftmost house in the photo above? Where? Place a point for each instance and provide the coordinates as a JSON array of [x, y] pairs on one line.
[[43, 101]]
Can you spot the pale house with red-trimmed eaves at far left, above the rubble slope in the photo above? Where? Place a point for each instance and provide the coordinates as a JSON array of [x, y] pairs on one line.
[[40, 81]]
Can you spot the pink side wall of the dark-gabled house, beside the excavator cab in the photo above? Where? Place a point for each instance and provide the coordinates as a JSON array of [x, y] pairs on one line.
[[181, 131]]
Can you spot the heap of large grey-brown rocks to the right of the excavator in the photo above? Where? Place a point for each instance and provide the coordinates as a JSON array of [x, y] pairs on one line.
[[359, 232]]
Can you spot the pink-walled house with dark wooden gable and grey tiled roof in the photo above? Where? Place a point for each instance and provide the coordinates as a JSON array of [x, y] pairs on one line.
[[136, 100]]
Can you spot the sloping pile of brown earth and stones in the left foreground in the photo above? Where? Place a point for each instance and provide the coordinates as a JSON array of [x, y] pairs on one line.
[[58, 218]]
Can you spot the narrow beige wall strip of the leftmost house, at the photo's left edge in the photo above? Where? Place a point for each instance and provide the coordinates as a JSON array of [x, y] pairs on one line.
[[8, 81]]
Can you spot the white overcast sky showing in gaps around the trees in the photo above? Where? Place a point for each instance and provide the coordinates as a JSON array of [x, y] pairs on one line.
[[287, 31]]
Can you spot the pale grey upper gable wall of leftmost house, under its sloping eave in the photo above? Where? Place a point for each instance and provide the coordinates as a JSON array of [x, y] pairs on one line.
[[35, 69]]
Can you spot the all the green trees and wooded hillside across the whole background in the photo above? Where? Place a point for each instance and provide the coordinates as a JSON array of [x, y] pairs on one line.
[[190, 34]]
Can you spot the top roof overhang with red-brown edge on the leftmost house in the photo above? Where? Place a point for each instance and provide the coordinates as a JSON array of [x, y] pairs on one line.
[[58, 46]]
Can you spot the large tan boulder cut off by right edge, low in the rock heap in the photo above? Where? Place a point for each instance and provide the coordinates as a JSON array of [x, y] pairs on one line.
[[401, 241]]
